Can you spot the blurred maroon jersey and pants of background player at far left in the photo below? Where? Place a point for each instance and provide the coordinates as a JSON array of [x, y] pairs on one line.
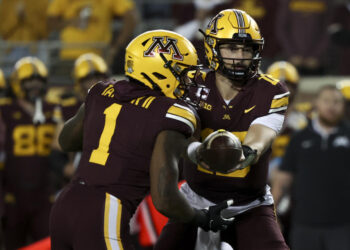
[[26, 173]]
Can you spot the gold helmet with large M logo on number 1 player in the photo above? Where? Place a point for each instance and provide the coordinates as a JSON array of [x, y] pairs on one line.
[[162, 60]]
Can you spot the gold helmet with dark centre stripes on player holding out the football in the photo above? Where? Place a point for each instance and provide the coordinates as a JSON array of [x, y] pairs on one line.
[[236, 27]]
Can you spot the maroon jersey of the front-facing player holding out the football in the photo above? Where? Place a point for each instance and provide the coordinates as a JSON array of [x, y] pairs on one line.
[[262, 95]]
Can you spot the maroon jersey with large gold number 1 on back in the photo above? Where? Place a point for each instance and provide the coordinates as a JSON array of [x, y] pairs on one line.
[[122, 121]]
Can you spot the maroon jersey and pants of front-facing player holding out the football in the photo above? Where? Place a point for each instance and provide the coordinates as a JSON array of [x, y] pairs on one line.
[[256, 228]]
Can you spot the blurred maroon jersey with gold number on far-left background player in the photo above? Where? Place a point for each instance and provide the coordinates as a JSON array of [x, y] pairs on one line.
[[27, 146]]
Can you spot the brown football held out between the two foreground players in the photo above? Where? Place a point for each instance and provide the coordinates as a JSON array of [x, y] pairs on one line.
[[220, 151]]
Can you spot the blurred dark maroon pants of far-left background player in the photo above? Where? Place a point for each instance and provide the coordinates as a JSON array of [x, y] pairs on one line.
[[26, 218]]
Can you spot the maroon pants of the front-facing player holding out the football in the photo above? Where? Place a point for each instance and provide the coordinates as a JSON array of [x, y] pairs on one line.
[[252, 230]]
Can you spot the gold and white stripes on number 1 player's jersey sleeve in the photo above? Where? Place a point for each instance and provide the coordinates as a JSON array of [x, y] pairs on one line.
[[183, 114]]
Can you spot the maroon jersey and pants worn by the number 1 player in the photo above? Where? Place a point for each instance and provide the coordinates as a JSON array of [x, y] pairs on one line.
[[121, 123]]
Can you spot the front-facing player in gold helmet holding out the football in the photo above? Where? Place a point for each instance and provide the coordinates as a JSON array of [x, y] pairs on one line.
[[250, 105]]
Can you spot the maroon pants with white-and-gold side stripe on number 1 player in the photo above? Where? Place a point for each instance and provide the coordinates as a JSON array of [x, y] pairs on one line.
[[84, 218]]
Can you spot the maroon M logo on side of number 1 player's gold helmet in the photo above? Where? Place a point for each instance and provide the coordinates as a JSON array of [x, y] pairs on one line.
[[158, 43]]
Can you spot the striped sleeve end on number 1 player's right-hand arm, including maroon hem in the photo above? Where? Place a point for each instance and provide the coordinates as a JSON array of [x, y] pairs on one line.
[[181, 118]]
